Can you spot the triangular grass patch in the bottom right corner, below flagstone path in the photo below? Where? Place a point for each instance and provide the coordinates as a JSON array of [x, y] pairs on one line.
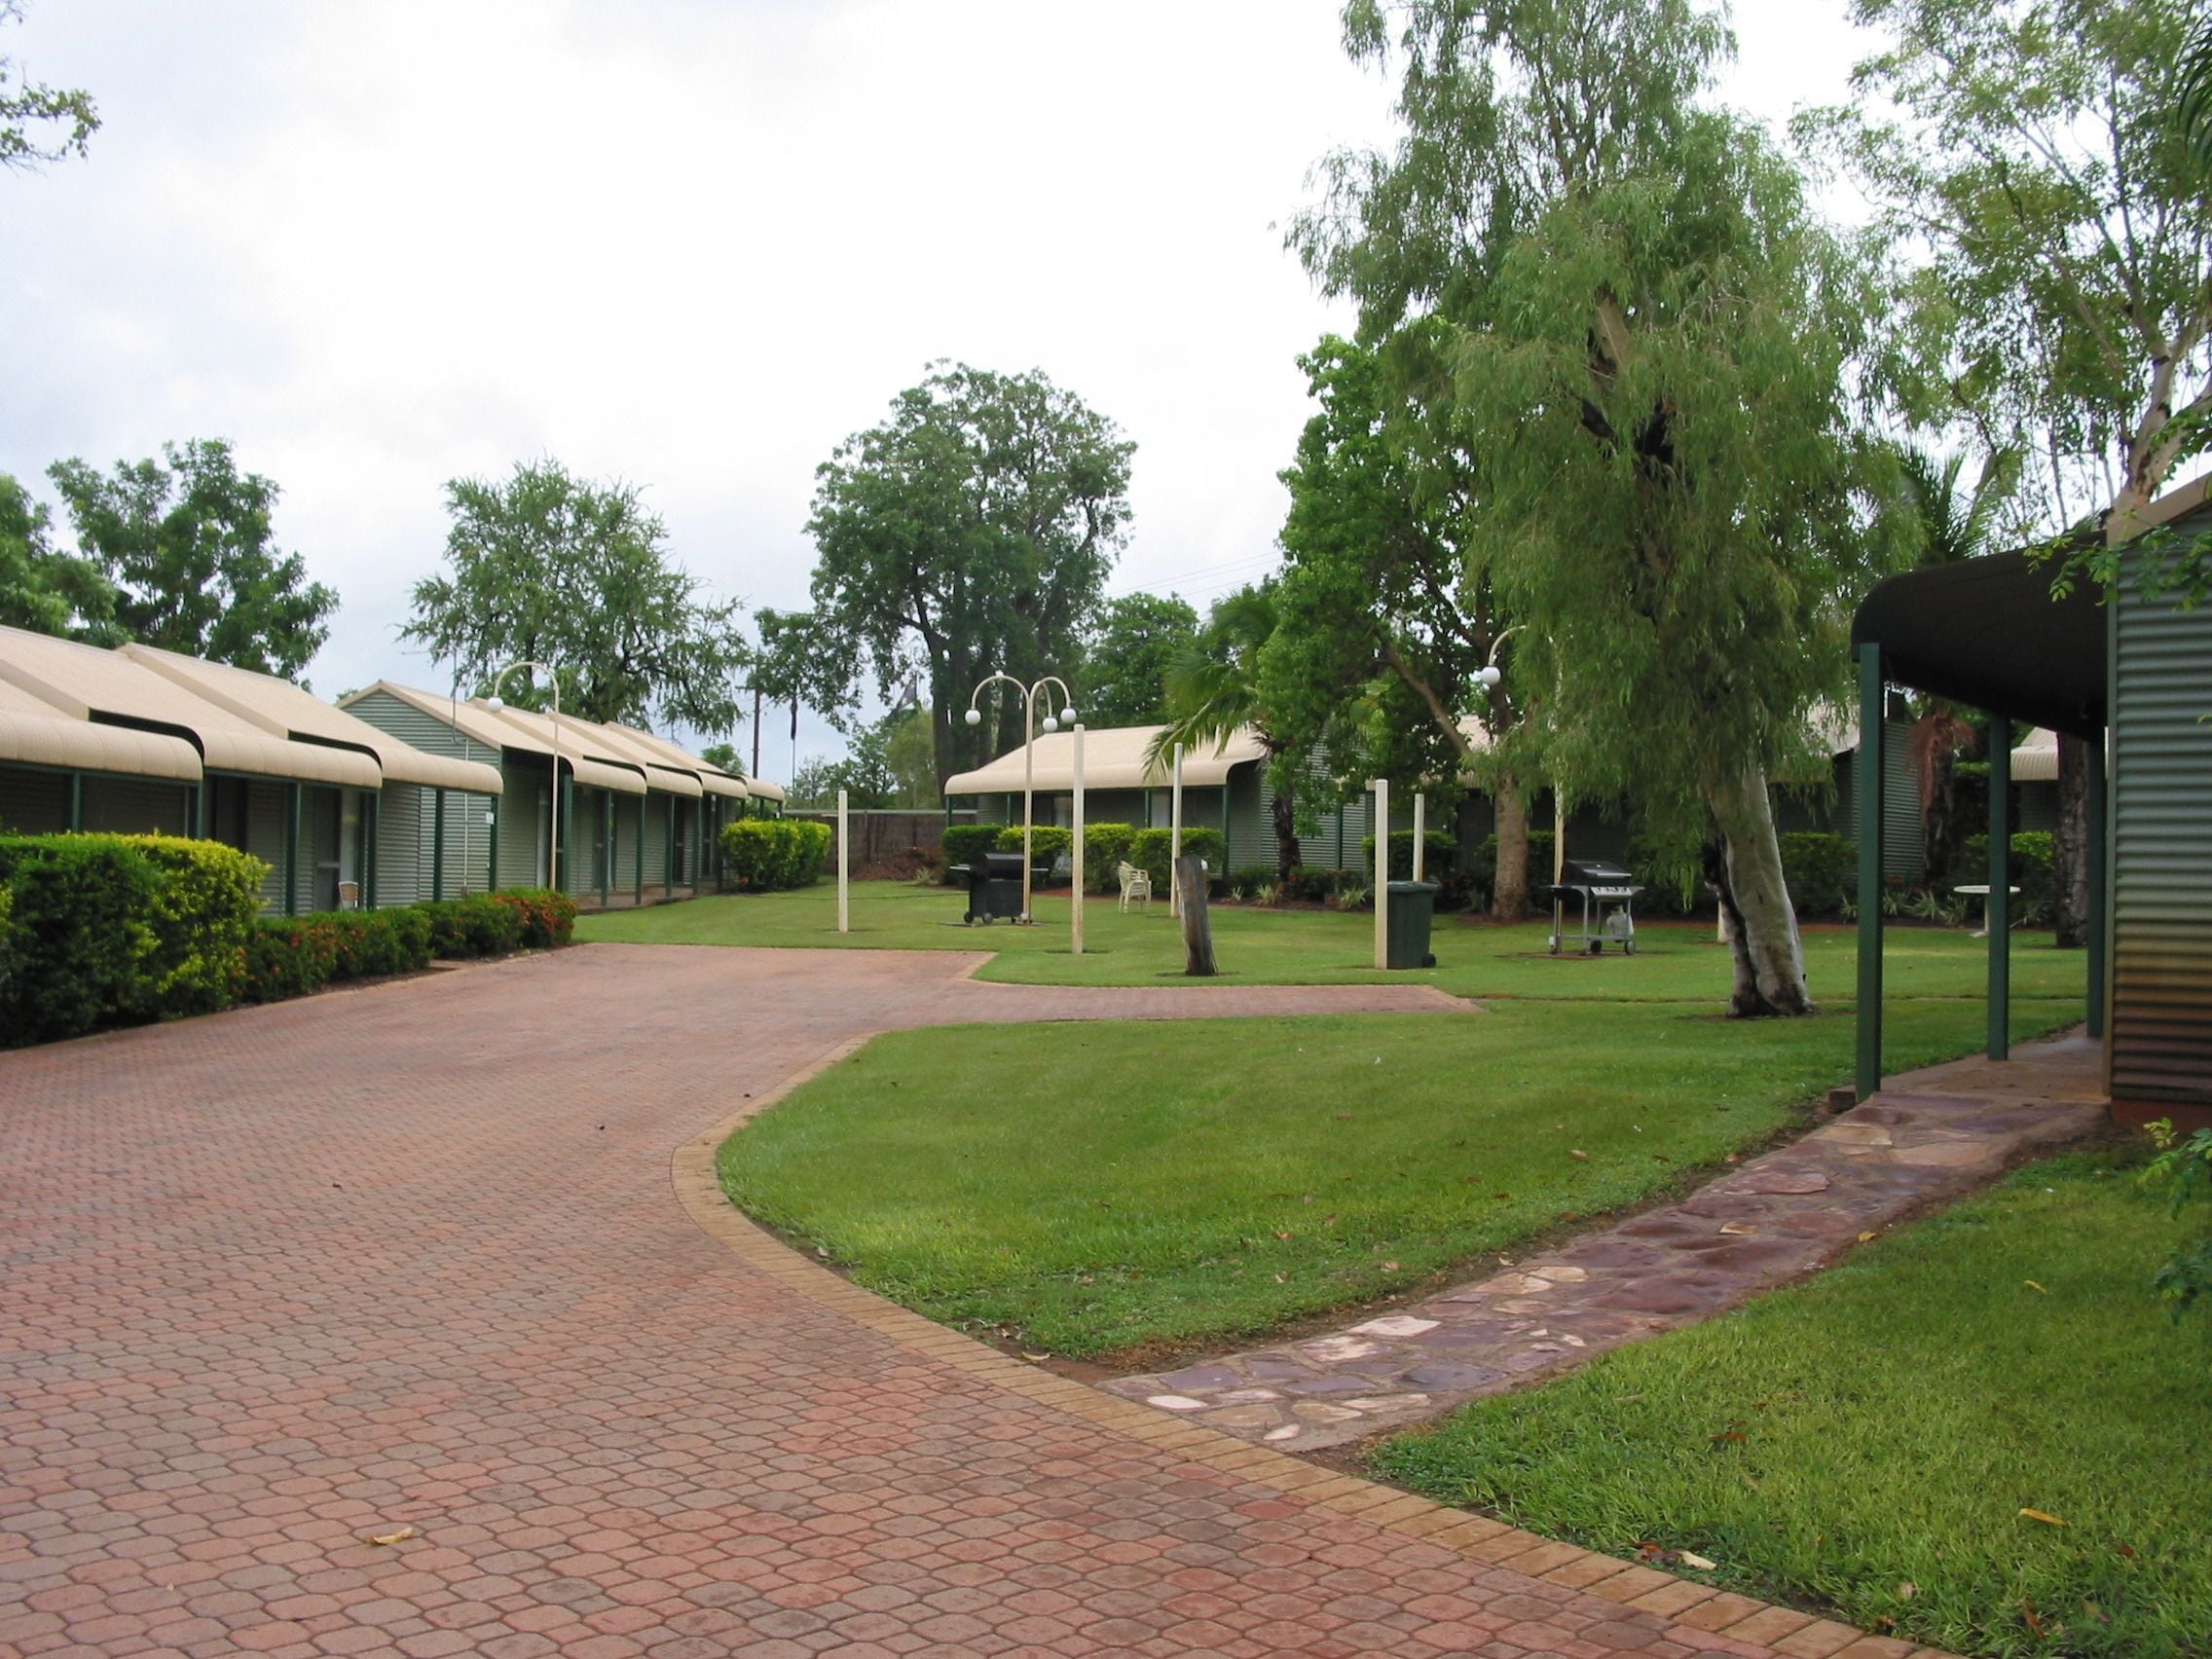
[[1868, 1441]]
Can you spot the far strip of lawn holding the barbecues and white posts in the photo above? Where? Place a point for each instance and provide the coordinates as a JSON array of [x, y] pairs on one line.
[[1676, 961]]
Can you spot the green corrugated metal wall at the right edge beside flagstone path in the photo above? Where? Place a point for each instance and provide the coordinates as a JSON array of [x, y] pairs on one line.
[[2162, 848]]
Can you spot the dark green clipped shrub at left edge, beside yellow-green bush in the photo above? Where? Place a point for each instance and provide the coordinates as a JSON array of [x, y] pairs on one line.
[[79, 937]]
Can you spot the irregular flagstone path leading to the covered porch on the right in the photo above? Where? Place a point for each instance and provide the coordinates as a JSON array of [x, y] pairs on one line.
[[1928, 1138]]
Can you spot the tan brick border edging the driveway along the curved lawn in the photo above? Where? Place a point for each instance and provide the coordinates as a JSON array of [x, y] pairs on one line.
[[1477, 1538]]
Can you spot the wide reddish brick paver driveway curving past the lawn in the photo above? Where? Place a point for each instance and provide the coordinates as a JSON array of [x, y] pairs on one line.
[[413, 1260]]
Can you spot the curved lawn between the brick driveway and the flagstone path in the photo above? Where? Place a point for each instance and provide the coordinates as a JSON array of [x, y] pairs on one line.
[[1140, 1189]]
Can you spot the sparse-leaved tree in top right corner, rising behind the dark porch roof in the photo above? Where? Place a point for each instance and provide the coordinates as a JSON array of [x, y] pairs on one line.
[[2034, 152]]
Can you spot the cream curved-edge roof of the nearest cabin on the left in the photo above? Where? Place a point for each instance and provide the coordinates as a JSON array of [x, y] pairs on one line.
[[109, 689]]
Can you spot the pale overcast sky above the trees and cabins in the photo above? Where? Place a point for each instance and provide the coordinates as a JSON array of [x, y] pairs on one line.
[[691, 244]]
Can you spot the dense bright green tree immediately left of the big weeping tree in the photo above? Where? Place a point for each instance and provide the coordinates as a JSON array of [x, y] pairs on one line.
[[1386, 620]]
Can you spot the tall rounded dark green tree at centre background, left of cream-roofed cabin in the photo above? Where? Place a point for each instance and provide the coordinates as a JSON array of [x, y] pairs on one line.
[[970, 532]]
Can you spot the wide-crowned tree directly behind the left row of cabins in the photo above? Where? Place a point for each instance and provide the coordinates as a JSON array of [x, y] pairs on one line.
[[559, 570]]
